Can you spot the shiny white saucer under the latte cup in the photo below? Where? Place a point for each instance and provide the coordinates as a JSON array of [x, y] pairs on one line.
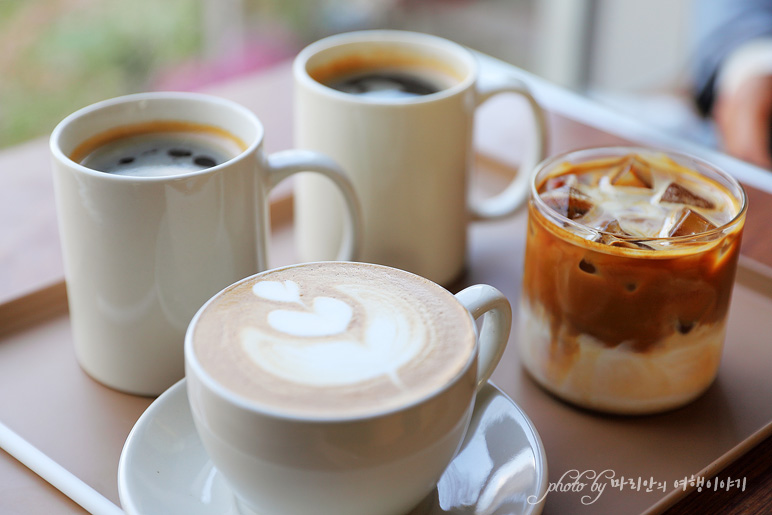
[[165, 470]]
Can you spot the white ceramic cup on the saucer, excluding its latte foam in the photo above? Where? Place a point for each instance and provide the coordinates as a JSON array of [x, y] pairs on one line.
[[385, 462]]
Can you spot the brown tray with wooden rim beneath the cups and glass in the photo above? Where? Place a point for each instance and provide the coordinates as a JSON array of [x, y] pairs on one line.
[[82, 425]]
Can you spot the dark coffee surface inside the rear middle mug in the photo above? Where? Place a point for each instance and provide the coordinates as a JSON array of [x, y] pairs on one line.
[[387, 85]]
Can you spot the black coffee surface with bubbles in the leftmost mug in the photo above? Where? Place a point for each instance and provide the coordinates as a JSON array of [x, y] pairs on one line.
[[158, 149]]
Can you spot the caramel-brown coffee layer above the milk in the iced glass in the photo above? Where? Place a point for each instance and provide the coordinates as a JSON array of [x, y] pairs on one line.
[[620, 295]]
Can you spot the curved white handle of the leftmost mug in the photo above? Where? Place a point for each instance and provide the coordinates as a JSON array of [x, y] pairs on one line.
[[288, 162]]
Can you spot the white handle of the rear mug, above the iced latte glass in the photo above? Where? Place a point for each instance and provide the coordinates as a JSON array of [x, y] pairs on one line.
[[514, 195]]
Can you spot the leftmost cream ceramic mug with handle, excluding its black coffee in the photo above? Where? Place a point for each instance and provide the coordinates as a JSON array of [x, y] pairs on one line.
[[141, 254]]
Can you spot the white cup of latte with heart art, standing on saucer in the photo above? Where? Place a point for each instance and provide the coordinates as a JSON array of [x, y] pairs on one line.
[[339, 388]]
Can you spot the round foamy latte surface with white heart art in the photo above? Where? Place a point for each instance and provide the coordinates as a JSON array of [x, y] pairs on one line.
[[334, 339]]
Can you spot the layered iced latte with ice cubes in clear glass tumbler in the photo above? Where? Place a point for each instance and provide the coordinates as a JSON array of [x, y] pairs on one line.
[[629, 267]]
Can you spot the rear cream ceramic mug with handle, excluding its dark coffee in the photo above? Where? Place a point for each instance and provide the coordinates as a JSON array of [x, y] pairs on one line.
[[409, 159]]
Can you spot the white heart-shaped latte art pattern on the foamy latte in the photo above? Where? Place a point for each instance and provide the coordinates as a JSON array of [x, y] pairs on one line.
[[390, 338]]
